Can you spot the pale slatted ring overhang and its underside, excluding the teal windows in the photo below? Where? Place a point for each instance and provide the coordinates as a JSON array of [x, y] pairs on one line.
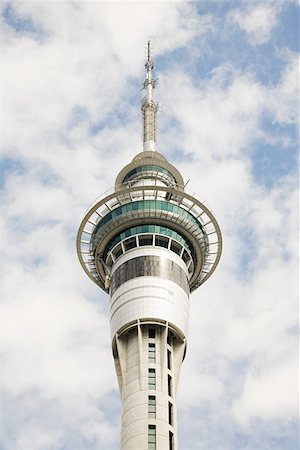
[[206, 239]]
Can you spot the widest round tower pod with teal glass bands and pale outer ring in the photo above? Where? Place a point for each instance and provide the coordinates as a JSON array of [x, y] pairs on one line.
[[161, 212]]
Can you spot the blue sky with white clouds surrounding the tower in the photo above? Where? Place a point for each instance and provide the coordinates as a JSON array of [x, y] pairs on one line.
[[71, 76]]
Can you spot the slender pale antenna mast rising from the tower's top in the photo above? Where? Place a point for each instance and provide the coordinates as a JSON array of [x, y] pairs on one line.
[[149, 107]]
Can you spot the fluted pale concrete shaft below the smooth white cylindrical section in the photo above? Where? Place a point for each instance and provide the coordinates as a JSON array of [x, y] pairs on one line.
[[133, 358]]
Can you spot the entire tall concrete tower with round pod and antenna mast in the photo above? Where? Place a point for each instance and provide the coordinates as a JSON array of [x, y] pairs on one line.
[[149, 244]]
